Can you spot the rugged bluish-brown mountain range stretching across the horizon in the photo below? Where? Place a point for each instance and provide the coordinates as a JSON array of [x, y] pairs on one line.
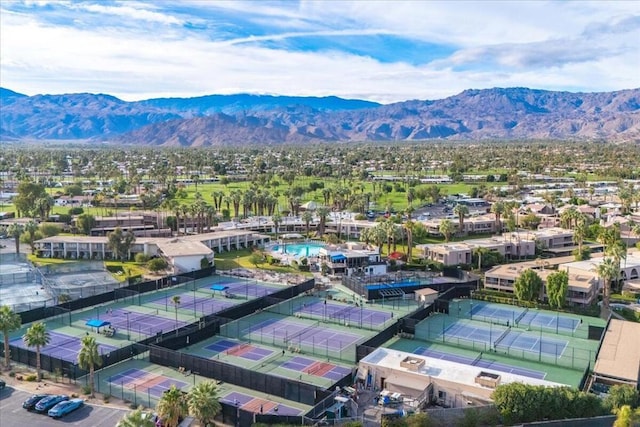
[[216, 120]]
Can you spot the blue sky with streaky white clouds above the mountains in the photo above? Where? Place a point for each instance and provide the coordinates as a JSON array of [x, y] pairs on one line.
[[384, 51]]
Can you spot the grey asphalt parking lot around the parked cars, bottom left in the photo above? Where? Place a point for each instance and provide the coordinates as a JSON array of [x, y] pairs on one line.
[[12, 414]]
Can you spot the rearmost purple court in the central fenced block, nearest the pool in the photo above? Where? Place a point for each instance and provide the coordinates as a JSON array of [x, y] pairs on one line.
[[349, 314]]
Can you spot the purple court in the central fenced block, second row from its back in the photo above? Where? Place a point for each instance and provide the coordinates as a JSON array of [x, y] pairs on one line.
[[290, 333]]
